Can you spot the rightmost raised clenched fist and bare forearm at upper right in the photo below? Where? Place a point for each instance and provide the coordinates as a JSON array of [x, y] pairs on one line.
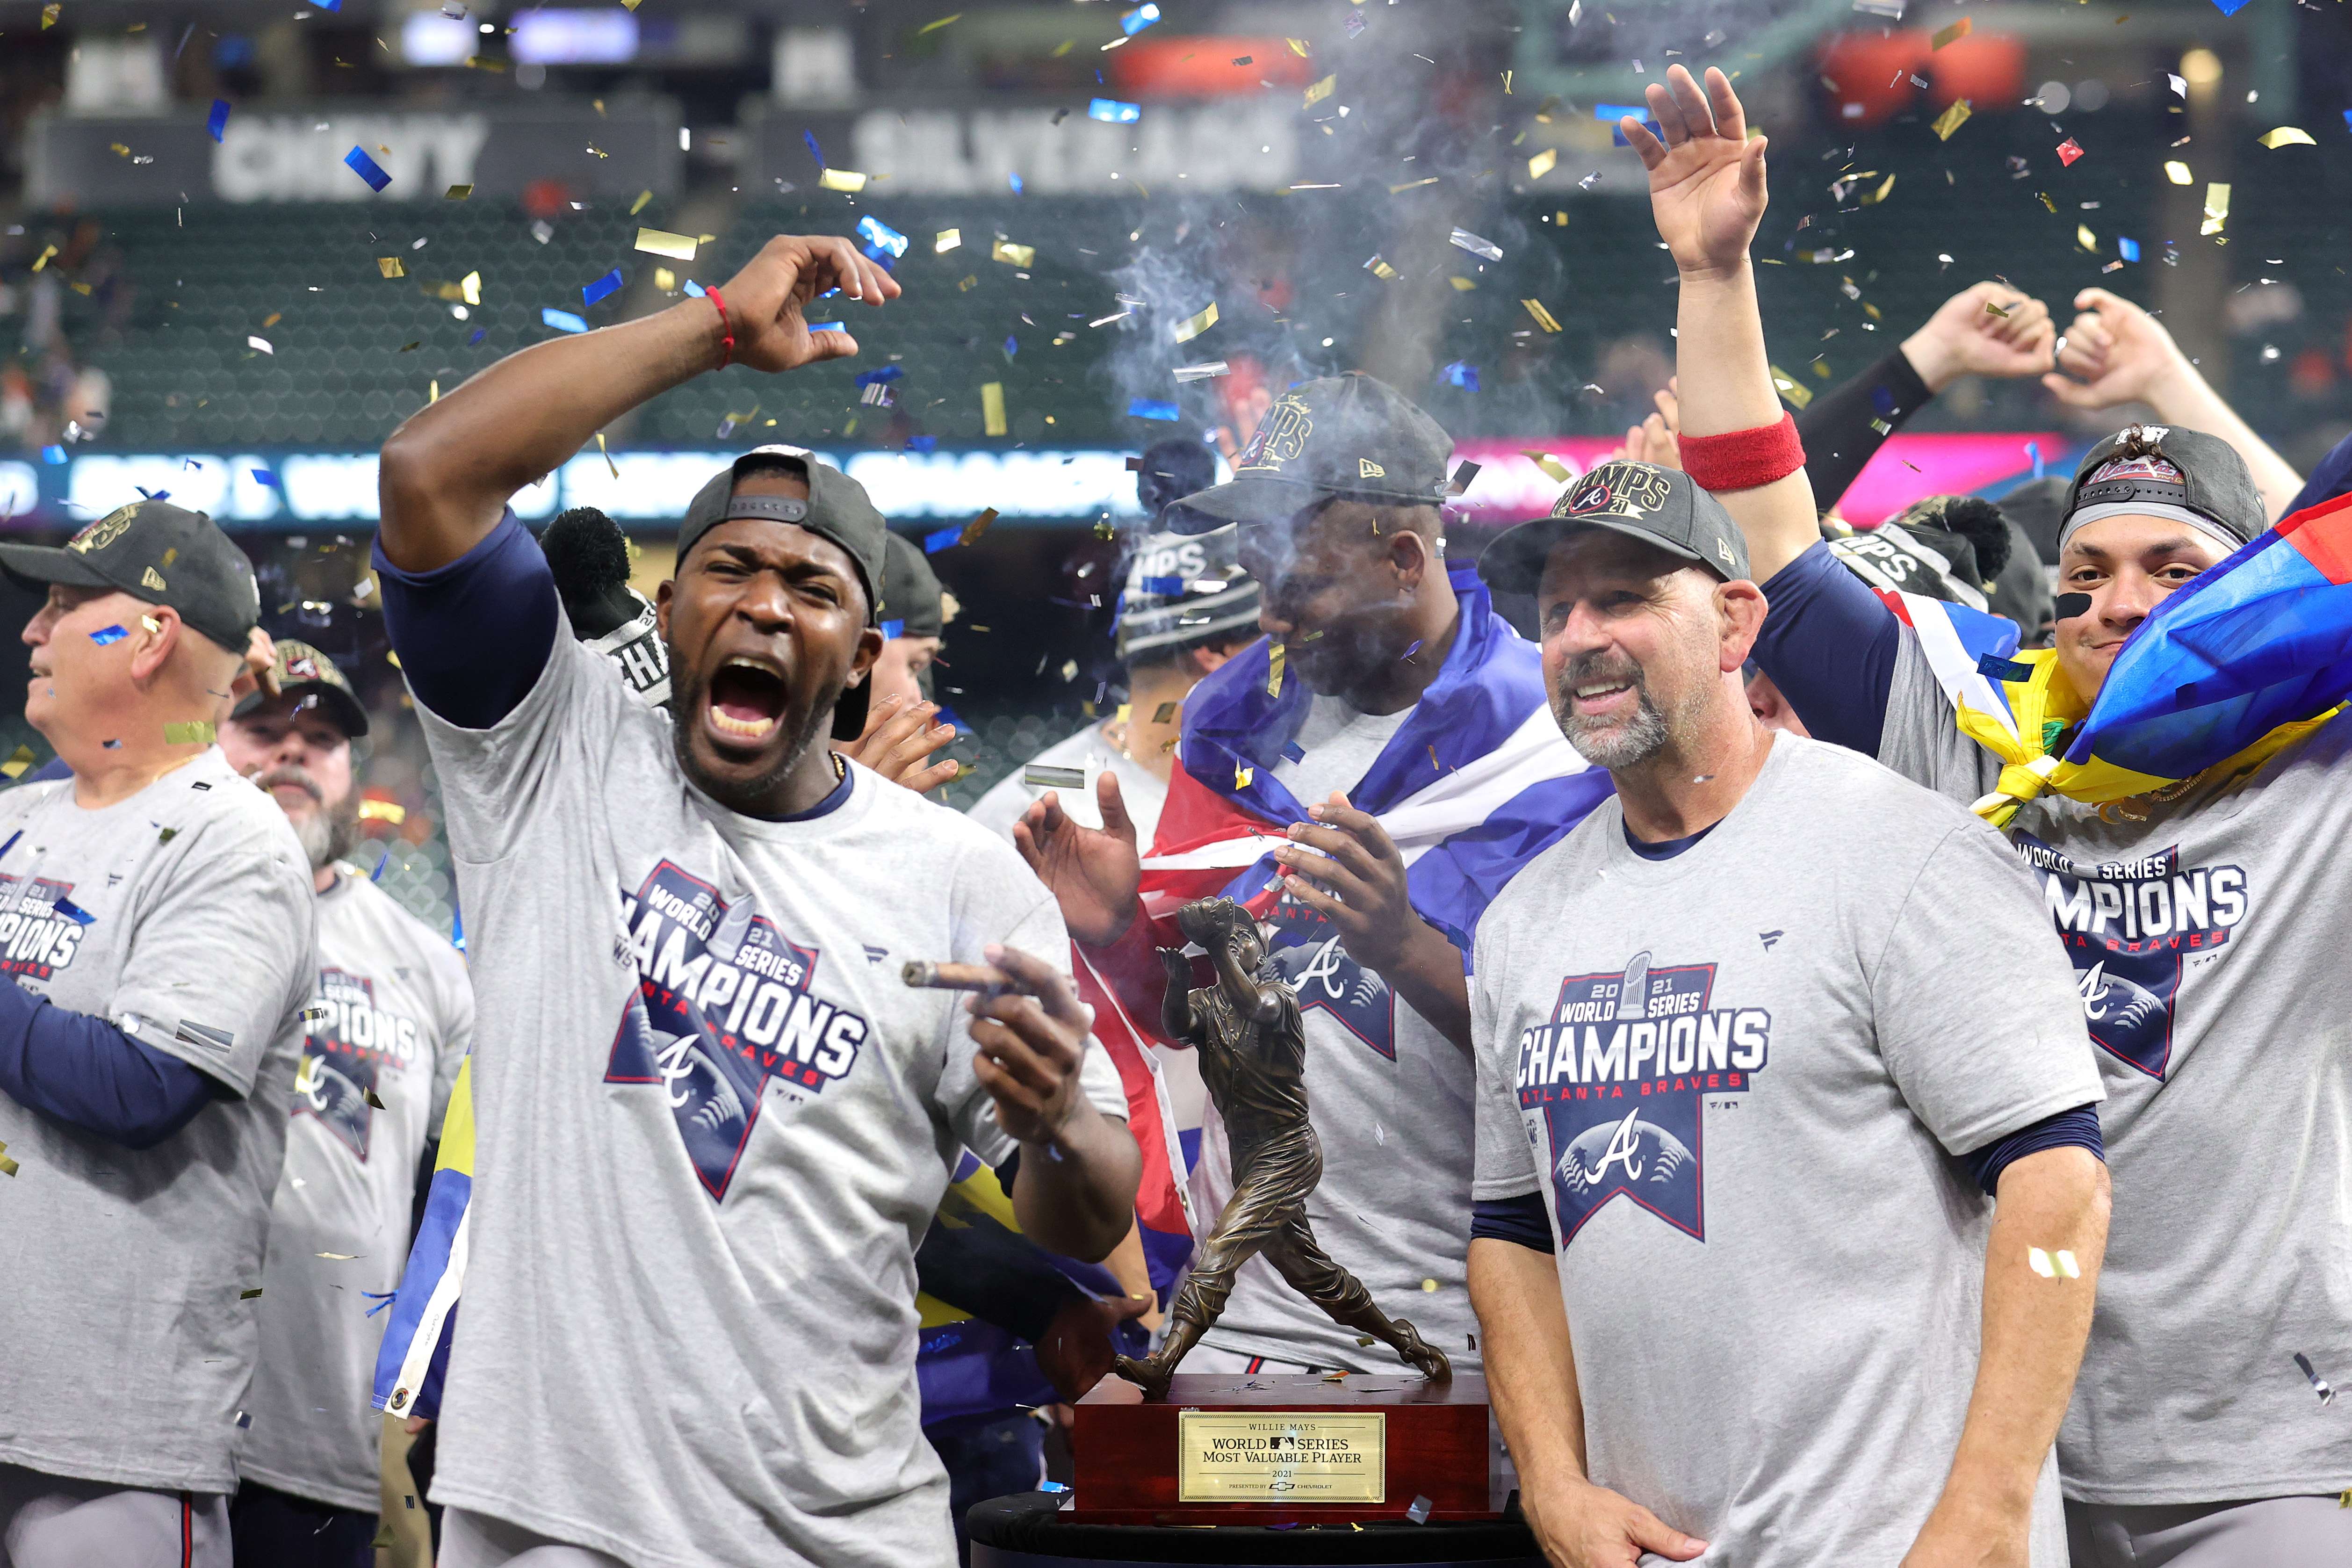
[[2120, 354]]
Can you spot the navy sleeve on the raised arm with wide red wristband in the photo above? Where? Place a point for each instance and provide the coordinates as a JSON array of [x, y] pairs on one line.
[[1831, 645]]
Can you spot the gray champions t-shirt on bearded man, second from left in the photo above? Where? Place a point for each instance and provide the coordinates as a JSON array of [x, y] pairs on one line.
[[387, 1028]]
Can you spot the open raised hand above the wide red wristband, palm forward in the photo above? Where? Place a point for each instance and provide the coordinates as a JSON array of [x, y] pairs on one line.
[[1706, 177]]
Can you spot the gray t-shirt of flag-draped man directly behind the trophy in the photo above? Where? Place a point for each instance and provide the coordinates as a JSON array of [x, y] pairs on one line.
[[1391, 1104]]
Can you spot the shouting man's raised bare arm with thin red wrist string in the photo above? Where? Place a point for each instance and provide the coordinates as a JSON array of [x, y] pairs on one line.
[[450, 469]]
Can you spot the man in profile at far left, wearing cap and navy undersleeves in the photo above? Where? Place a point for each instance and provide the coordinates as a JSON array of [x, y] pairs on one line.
[[156, 949]]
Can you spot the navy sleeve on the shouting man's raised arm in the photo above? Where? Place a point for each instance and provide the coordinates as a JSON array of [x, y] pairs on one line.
[[474, 636]]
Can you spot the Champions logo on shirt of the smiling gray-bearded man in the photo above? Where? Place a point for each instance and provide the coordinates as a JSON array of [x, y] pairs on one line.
[[1615, 1085]]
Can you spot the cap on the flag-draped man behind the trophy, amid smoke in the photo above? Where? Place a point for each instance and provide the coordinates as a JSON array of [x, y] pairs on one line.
[[1339, 436]]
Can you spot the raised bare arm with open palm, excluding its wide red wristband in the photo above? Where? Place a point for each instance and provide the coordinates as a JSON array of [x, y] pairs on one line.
[[1706, 192]]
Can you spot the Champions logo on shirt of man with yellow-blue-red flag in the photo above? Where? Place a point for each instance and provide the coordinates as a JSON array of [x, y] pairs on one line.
[[2130, 930]]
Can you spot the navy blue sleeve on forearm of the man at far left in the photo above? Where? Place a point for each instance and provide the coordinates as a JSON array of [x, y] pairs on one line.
[[93, 1076]]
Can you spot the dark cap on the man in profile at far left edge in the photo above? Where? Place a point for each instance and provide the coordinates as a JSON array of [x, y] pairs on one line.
[[159, 554]]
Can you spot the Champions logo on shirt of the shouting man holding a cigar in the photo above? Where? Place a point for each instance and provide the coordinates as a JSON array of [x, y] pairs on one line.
[[723, 1007]]
